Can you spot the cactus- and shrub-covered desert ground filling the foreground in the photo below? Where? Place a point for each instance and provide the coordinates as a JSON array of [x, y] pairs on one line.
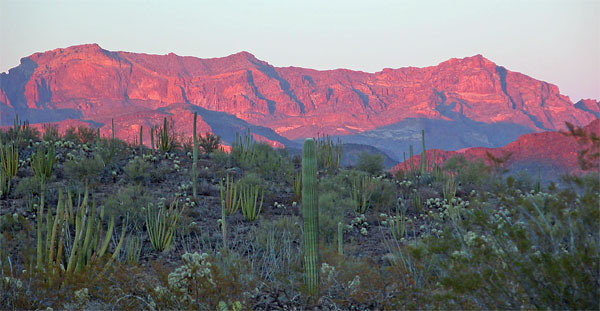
[[91, 222]]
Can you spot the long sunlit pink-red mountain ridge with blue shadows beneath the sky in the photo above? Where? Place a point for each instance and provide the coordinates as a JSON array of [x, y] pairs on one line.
[[471, 100]]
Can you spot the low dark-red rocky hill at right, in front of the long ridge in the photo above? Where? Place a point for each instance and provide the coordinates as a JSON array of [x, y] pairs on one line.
[[553, 153]]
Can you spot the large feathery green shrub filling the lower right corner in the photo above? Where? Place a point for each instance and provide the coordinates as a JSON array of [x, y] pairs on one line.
[[516, 251]]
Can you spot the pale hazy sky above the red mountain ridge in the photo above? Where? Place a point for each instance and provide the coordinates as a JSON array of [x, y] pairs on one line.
[[554, 41]]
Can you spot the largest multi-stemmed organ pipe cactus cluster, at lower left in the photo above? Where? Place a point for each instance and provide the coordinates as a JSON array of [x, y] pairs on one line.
[[89, 245]]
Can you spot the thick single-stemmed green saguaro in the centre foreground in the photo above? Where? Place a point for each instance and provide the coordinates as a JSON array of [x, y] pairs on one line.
[[310, 215]]
